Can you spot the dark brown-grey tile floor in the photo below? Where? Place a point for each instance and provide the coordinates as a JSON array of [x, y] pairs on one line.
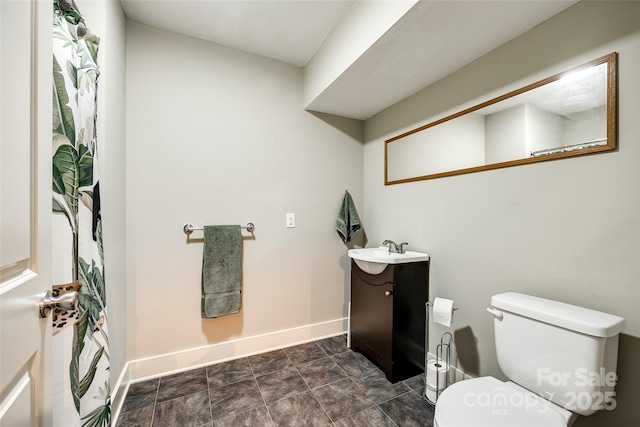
[[321, 383]]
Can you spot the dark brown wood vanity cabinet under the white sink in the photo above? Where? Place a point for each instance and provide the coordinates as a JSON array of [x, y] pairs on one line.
[[388, 317]]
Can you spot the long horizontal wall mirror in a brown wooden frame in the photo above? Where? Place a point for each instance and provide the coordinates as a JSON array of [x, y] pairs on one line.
[[568, 114]]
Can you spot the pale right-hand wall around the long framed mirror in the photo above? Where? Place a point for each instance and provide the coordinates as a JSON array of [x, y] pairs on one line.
[[566, 229]]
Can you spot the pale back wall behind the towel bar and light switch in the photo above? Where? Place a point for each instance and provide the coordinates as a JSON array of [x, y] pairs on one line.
[[217, 136]]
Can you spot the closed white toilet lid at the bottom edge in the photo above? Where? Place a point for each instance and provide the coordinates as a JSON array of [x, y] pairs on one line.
[[489, 402]]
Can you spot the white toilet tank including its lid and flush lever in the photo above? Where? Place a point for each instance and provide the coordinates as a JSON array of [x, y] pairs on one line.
[[564, 353]]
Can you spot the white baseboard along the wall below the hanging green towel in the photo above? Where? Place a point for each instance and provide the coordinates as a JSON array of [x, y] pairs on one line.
[[170, 363]]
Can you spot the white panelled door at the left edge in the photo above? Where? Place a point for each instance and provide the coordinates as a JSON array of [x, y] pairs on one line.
[[25, 211]]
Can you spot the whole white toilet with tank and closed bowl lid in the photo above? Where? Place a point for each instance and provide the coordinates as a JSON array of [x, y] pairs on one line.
[[560, 359]]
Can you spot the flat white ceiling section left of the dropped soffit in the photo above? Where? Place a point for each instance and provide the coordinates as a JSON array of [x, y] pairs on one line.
[[287, 30]]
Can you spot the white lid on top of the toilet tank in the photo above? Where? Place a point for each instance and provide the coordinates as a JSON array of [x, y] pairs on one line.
[[572, 317]]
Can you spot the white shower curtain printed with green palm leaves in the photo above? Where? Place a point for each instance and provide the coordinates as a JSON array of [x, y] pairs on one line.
[[76, 195]]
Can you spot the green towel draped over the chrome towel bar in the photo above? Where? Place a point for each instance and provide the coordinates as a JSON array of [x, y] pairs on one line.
[[221, 271]]
